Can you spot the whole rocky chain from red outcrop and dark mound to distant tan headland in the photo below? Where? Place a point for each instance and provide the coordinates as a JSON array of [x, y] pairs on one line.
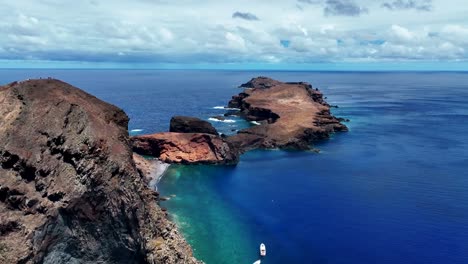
[[289, 116]]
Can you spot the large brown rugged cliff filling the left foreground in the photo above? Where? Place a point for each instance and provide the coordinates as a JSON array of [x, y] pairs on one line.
[[69, 189]]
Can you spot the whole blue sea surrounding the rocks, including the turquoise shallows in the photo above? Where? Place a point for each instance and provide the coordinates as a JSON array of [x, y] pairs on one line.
[[394, 189]]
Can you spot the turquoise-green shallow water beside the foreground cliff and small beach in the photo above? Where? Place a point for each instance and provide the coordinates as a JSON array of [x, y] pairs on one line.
[[209, 212]]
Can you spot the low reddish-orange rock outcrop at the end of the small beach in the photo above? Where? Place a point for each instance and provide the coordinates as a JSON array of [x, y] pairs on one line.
[[186, 148]]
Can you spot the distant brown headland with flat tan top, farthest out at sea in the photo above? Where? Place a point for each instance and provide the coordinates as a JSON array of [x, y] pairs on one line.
[[292, 115]]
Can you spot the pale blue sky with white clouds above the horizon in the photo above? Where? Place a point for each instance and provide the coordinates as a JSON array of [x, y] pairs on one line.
[[241, 32]]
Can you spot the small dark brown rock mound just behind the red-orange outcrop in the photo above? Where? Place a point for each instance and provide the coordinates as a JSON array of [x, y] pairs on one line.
[[186, 124]]
